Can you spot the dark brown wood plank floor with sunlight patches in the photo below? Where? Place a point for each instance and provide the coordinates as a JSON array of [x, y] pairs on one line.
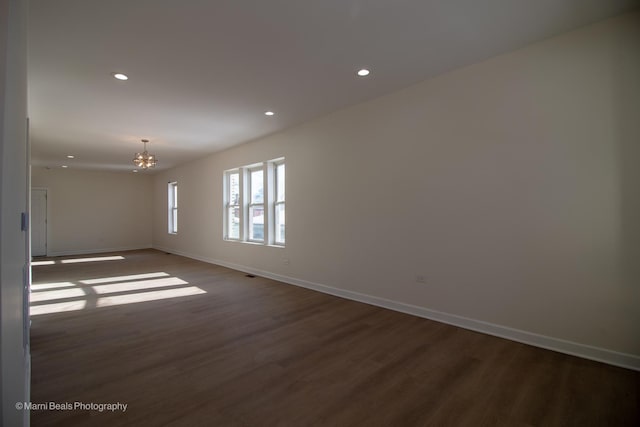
[[255, 352]]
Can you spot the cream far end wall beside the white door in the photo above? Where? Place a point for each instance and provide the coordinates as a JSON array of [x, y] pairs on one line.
[[91, 211]]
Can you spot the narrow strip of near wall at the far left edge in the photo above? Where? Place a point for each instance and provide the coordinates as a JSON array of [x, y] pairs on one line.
[[14, 354]]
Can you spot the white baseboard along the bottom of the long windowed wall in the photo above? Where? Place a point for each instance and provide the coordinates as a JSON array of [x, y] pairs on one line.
[[598, 354]]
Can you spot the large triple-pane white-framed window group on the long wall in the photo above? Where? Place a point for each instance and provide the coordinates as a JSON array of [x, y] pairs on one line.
[[254, 203]]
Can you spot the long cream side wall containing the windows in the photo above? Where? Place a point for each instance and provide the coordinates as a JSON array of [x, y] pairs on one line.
[[510, 184]]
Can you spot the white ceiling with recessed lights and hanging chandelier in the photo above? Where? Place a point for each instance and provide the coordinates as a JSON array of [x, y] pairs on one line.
[[203, 72]]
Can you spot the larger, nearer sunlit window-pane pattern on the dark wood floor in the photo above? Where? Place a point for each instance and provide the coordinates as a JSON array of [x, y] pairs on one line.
[[57, 297]]
